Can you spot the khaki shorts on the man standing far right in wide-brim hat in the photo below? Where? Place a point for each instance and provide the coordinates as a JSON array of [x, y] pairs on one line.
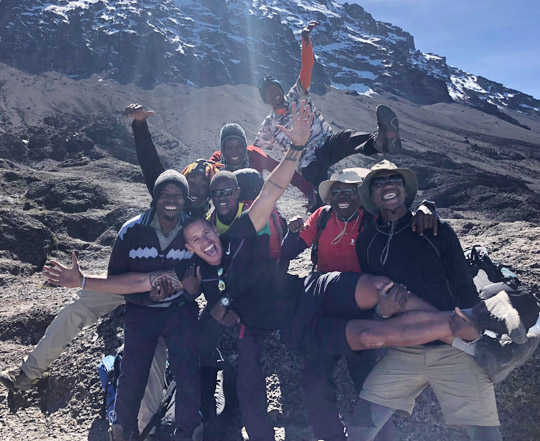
[[464, 391]]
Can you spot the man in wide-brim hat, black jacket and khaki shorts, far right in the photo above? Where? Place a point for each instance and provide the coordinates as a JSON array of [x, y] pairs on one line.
[[434, 268]]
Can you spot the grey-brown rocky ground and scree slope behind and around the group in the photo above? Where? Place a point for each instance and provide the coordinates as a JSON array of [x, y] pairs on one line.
[[68, 181]]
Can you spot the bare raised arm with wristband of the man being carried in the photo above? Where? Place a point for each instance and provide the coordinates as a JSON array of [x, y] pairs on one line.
[[281, 176]]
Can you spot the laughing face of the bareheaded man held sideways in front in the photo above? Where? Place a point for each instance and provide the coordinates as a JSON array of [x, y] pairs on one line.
[[202, 239]]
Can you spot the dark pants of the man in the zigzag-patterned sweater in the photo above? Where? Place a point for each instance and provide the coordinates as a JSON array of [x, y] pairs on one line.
[[179, 327]]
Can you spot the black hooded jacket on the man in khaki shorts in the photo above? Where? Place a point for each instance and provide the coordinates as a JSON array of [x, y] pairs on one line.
[[432, 267]]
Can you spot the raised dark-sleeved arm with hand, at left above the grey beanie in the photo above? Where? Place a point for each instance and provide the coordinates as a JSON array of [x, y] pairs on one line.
[[147, 156]]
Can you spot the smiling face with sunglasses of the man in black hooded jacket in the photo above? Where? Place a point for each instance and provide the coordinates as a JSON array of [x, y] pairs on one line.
[[388, 192]]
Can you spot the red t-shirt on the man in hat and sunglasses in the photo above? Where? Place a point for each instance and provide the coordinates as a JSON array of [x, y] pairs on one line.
[[337, 250]]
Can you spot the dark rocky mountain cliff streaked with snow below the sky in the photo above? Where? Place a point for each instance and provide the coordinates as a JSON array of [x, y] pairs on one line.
[[216, 42]]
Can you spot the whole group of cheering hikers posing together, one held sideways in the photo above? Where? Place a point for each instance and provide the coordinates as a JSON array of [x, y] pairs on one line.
[[384, 276]]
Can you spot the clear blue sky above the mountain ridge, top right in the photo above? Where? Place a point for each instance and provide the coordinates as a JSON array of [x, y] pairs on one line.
[[498, 39]]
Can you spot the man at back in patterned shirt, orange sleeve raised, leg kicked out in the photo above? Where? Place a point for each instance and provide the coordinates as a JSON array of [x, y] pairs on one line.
[[324, 147]]
